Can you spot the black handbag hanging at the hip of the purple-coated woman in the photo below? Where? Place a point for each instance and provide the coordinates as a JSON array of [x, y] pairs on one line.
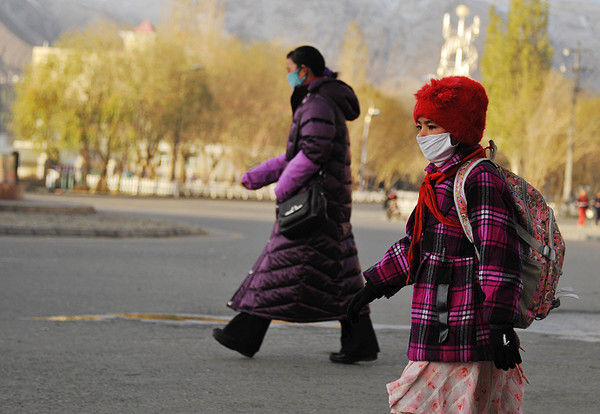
[[302, 213]]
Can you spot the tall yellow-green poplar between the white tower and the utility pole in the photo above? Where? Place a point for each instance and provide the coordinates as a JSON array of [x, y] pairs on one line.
[[515, 67]]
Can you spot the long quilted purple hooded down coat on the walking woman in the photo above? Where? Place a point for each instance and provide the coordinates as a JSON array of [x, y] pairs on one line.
[[313, 278]]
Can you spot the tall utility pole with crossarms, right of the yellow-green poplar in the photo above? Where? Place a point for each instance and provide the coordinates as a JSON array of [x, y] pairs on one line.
[[568, 179]]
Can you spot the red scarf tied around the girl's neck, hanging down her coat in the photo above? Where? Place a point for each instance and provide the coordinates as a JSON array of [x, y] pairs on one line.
[[427, 198]]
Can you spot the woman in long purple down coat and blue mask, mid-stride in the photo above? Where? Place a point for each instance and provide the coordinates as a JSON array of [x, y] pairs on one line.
[[311, 278]]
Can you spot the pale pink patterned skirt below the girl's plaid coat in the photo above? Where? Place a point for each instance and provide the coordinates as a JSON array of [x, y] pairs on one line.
[[448, 388]]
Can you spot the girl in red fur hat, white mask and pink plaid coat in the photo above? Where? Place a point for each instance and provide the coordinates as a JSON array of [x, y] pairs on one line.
[[463, 351]]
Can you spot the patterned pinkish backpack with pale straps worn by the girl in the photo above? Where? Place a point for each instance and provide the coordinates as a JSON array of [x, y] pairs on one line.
[[542, 246]]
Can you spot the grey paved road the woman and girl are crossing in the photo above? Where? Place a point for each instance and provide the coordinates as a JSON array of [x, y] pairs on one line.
[[138, 315]]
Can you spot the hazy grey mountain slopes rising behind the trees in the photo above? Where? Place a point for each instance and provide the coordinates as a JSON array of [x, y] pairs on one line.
[[404, 36]]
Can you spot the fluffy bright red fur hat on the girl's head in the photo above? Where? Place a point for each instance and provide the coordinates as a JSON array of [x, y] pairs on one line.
[[456, 103]]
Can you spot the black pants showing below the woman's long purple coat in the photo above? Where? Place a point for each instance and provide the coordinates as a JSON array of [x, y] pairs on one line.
[[357, 338]]
